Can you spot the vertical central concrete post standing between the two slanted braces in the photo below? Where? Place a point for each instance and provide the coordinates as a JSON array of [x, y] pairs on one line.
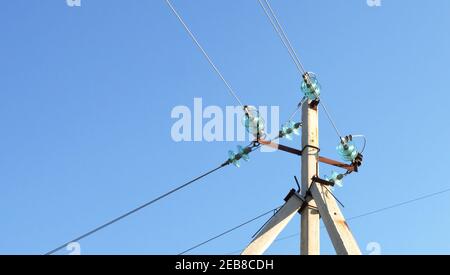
[[310, 218]]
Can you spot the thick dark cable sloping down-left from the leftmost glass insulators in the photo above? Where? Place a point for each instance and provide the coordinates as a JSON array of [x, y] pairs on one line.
[[136, 209]]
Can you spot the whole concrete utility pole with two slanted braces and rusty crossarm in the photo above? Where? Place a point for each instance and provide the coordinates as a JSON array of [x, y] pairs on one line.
[[314, 201]]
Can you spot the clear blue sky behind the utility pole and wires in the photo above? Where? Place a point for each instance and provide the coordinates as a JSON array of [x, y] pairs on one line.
[[85, 101]]
